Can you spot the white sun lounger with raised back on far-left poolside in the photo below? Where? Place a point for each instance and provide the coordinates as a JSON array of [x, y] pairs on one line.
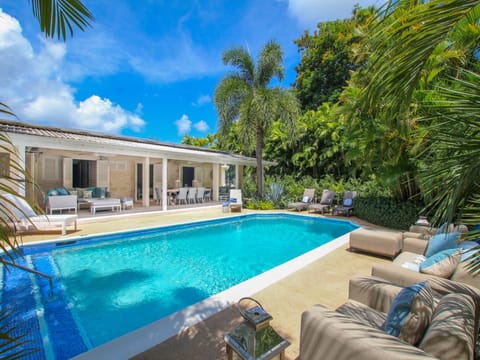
[[26, 218]]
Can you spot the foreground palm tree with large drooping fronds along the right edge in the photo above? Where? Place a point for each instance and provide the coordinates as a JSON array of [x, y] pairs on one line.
[[400, 52]]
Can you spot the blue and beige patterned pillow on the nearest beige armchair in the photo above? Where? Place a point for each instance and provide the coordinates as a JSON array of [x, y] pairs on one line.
[[410, 313]]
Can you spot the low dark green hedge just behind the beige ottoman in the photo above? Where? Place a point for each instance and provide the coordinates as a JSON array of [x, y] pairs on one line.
[[387, 211]]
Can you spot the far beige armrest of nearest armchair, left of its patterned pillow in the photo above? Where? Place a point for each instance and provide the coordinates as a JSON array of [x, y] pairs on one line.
[[372, 291]]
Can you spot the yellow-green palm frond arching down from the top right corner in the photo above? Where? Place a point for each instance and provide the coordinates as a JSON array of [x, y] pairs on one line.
[[402, 41]]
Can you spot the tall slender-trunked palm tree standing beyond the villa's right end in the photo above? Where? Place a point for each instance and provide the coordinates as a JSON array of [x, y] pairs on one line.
[[244, 97]]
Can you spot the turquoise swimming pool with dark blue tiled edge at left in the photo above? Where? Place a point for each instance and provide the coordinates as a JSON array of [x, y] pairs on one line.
[[110, 285]]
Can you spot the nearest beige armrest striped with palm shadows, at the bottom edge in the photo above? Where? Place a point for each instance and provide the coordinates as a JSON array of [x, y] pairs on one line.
[[327, 334]]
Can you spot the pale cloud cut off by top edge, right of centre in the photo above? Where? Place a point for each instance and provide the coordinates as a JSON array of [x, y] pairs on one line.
[[310, 12]]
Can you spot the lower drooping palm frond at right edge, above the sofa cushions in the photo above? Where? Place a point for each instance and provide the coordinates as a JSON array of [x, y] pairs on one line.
[[450, 178]]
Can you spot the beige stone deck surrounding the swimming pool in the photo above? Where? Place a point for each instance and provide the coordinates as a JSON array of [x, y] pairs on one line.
[[325, 281]]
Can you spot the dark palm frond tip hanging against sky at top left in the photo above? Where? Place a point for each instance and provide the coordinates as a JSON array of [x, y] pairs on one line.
[[59, 17]]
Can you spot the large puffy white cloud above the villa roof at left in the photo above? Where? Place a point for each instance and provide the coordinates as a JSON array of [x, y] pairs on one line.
[[33, 87]]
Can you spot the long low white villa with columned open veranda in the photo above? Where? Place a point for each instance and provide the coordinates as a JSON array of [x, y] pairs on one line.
[[126, 166]]
